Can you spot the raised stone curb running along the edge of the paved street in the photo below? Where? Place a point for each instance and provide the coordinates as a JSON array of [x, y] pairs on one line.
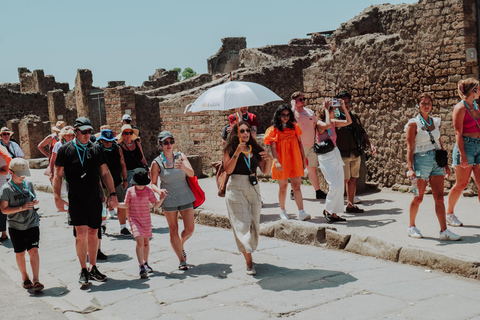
[[310, 234]]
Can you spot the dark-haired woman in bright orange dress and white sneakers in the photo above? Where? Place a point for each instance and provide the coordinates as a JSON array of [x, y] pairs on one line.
[[287, 151]]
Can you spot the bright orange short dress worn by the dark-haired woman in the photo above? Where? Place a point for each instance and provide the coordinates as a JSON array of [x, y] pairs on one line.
[[288, 151]]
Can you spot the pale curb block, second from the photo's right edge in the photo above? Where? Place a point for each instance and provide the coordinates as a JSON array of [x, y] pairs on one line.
[[371, 246]]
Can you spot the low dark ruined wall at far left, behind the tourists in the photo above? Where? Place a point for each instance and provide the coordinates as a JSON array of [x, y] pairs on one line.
[[16, 105]]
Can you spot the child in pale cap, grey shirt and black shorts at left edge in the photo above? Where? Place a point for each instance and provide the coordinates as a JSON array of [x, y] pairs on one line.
[[17, 200]]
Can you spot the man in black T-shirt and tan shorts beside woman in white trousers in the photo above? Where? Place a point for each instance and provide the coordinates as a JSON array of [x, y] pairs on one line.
[[350, 141]]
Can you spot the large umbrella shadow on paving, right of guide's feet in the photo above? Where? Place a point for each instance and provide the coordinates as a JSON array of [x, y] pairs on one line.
[[275, 278]]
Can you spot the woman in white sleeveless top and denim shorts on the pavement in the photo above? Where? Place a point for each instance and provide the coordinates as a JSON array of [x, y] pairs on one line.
[[423, 166]]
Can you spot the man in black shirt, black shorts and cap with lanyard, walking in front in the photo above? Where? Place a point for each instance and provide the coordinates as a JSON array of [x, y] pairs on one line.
[[83, 163]]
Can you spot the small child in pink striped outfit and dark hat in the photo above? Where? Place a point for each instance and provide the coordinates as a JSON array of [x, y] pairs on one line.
[[138, 214]]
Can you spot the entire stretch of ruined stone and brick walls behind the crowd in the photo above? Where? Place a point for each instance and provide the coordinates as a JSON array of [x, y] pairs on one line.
[[384, 56]]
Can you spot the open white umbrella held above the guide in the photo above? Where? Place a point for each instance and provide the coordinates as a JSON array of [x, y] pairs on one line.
[[231, 95]]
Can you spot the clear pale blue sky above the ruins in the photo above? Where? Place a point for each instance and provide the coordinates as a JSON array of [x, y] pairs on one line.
[[128, 40]]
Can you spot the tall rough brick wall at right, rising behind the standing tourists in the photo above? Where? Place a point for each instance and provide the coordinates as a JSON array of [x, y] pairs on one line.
[[385, 57]]
